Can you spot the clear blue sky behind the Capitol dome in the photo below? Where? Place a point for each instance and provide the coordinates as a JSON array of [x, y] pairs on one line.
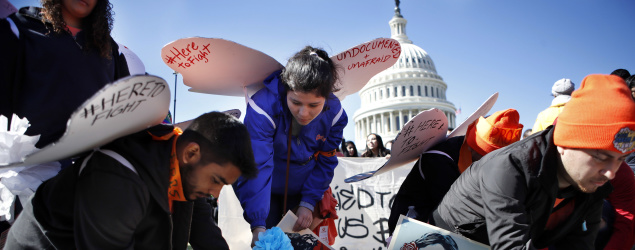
[[516, 48]]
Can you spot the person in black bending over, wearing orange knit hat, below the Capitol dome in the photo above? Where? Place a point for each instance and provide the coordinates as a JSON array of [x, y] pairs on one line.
[[436, 170]]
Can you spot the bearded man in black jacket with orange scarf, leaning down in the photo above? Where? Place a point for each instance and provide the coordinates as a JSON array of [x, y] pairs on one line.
[[137, 192]]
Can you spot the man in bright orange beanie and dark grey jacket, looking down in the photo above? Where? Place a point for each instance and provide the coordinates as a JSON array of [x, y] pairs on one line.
[[548, 189]]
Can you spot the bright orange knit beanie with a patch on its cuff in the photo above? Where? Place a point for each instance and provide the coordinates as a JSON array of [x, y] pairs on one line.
[[600, 115]]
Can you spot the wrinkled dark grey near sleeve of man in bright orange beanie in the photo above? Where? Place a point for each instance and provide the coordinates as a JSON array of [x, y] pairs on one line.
[[507, 221]]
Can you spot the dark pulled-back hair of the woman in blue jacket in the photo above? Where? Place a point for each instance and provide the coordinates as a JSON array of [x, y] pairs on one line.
[[310, 70]]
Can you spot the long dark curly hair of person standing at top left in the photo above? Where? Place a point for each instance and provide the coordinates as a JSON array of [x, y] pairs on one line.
[[96, 26]]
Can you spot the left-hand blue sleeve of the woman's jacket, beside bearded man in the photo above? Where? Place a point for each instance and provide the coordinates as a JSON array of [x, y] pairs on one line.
[[255, 194]]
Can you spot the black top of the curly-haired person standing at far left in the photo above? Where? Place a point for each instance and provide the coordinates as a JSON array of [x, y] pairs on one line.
[[42, 67]]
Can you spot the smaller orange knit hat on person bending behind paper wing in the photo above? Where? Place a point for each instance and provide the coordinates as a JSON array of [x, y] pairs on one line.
[[496, 131]]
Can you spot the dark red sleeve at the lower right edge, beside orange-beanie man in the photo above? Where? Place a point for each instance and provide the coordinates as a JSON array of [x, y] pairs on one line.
[[623, 200]]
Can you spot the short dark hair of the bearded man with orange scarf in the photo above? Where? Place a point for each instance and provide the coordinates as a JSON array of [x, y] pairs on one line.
[[222, 139]]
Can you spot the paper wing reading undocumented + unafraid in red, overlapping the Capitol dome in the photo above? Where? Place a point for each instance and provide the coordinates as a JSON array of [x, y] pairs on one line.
[[364, 61]]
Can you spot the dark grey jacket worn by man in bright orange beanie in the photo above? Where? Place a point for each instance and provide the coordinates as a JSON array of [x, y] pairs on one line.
[[493, 191]]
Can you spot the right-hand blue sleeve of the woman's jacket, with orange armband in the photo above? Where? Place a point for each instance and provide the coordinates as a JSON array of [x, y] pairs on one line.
[[322, 175]]
